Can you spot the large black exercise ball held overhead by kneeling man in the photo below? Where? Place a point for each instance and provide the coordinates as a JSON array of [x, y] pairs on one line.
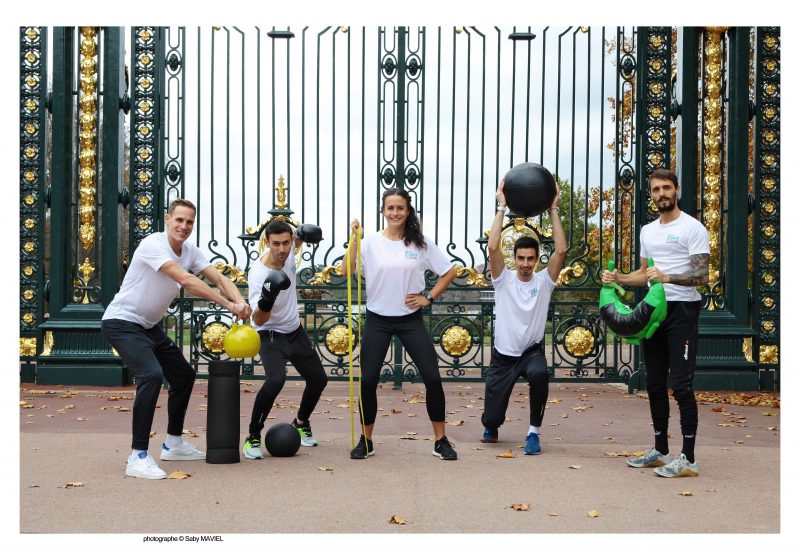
[[529, 188]]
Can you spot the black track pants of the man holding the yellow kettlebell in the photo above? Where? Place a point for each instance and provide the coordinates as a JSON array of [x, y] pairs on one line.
[[152, 356]]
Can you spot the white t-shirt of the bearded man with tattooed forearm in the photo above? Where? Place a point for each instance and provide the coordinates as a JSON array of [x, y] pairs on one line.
[[670, 245]]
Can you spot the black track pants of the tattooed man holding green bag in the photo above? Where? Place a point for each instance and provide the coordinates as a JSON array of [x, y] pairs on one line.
[[669, 358]]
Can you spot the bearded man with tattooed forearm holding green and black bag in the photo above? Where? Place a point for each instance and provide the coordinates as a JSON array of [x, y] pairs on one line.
[[678, 244]]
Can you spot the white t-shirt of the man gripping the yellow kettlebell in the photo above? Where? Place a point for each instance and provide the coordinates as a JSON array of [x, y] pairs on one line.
[[146, 293]]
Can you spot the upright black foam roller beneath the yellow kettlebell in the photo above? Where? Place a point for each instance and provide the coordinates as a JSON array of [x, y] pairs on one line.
[[222, 423]]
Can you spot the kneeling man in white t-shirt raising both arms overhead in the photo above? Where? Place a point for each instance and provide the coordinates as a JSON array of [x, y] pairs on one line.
[[522, 299]]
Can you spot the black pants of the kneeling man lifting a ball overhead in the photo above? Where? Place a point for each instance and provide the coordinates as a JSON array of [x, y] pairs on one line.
[[500, 378]]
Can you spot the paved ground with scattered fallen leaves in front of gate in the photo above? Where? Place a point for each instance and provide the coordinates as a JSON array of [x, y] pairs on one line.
[[83, 435]]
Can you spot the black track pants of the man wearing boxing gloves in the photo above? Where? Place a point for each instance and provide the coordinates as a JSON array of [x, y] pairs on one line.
[[276, 350]]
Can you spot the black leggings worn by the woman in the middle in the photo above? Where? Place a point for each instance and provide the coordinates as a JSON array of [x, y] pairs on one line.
[[411, 331]]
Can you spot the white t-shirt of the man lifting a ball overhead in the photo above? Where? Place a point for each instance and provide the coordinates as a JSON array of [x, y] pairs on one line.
[[521, 310]]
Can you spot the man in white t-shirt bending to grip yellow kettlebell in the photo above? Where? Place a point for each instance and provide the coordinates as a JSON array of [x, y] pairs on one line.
[[162, 264]]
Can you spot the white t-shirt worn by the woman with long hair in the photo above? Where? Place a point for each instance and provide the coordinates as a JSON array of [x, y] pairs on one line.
[[393, 270]]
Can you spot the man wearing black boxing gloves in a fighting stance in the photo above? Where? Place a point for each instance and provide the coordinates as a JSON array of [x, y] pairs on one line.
[[283, 338]]
